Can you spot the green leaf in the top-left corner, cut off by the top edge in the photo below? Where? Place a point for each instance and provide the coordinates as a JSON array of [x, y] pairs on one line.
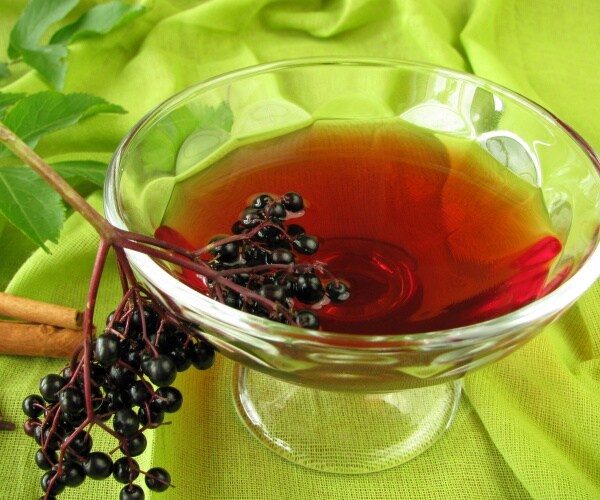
[[34, 21]]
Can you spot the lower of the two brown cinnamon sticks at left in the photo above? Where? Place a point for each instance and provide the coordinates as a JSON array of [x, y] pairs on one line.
[[30, 339]]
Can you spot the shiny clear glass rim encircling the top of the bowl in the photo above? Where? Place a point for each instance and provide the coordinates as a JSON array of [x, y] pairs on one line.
[[544, 307]]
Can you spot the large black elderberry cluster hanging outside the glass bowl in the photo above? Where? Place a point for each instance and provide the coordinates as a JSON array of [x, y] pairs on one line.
[[131, 371]]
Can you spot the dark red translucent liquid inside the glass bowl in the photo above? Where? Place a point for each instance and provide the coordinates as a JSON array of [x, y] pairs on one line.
[[430, 234]]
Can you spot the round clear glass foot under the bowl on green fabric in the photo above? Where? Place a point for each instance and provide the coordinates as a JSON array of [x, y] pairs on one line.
[[344, 433]]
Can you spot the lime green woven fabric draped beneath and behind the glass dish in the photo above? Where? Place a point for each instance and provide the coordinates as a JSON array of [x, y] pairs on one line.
[[528, 426]]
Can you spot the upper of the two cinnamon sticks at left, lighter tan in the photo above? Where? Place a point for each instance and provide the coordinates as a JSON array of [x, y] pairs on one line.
[[39, 312]]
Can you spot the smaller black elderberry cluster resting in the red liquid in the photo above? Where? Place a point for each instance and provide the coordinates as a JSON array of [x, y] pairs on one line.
[[268, 255]]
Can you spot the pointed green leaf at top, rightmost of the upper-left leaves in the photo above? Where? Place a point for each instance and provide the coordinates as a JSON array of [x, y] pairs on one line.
[[99, 20]]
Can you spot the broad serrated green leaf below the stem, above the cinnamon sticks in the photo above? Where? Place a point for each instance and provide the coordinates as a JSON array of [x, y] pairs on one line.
[[31, 205]]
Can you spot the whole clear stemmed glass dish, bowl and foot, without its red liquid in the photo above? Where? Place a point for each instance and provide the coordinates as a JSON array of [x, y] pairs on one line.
[[333, 401]]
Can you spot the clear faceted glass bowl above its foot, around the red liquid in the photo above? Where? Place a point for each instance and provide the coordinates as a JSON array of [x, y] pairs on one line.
[[208, 122]]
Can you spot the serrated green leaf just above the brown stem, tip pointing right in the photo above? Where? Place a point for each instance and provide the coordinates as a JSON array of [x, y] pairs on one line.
[[39, 114]]
